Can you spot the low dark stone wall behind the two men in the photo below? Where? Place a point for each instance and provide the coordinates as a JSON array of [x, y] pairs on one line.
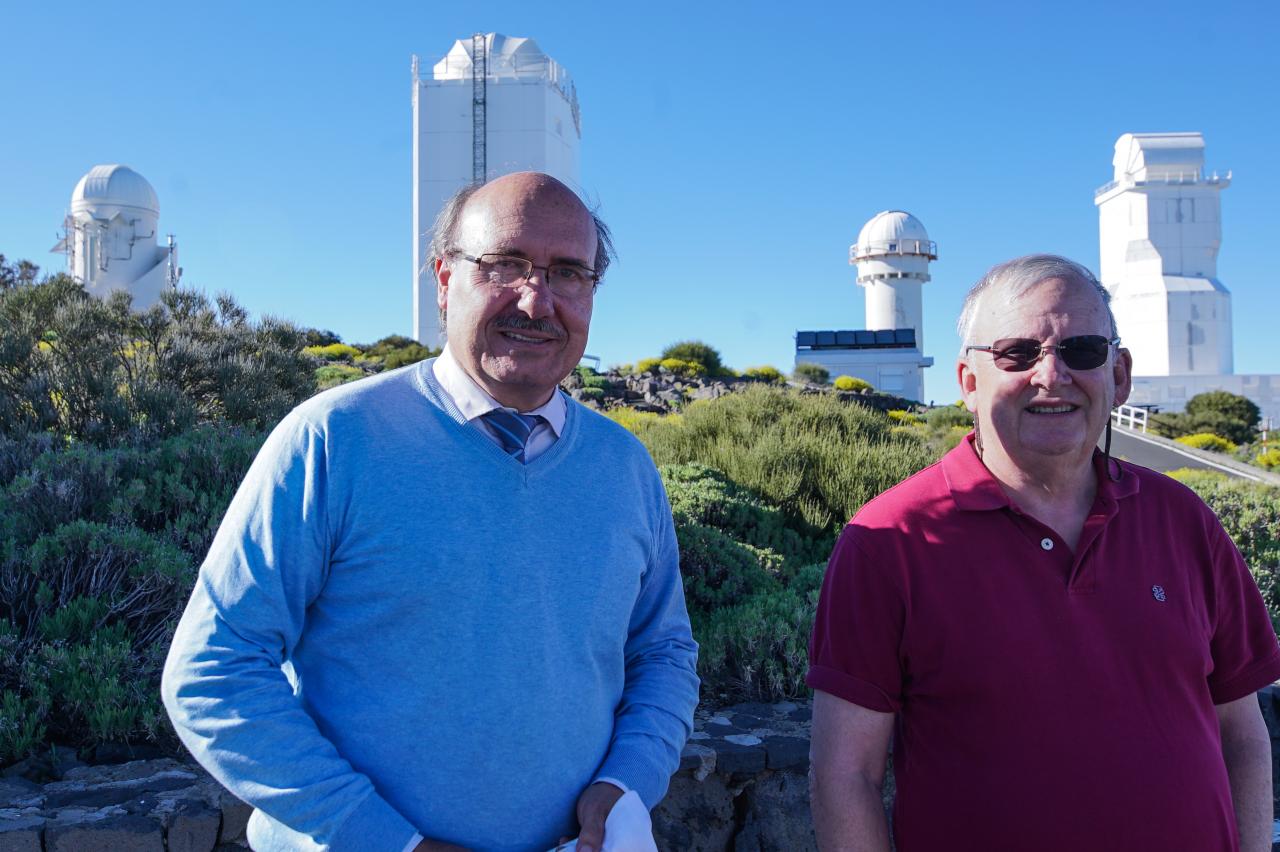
[[743, 786]]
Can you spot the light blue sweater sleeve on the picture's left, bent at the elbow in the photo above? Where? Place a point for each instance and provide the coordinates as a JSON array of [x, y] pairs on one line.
[[225, 688]]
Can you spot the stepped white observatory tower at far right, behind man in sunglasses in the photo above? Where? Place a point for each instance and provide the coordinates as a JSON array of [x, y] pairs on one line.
[[1160, 228]]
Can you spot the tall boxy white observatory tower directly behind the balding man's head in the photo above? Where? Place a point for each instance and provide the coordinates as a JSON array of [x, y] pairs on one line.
[[492, 107]]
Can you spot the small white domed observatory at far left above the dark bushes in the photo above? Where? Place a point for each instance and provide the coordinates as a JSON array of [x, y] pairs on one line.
[[111, 237]]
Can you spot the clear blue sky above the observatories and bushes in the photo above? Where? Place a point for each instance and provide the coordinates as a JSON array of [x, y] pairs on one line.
[[737, 149]]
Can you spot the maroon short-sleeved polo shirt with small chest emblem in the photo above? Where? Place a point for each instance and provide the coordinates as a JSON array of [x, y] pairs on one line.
[[1046, 700]]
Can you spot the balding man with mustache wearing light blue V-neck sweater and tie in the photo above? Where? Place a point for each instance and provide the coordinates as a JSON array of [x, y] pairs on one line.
[[445, 608]]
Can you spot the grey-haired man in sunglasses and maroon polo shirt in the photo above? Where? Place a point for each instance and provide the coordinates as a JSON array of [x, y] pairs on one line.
[[1064, 648]]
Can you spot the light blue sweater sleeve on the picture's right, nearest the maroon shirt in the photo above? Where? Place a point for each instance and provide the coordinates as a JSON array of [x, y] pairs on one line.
[[656, 714]]
